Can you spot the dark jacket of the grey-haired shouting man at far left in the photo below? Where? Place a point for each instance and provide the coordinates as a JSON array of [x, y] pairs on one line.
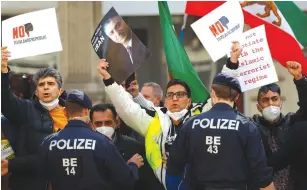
[[33, 123]]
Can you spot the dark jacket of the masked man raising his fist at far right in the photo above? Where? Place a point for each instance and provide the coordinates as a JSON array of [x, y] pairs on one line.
[[281, 128]]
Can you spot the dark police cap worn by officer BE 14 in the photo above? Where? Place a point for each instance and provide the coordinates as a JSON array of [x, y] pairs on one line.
[[80, 98]]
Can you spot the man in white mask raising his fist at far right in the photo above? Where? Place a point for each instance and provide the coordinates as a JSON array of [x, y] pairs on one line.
[[273, 125]]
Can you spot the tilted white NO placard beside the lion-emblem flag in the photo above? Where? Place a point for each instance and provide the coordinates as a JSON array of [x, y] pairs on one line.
[[216, 29]]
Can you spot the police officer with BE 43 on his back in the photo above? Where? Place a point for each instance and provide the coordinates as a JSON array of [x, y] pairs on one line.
[[221, 148]]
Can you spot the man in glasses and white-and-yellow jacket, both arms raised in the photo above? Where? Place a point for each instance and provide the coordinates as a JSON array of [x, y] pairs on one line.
[[161, 125]]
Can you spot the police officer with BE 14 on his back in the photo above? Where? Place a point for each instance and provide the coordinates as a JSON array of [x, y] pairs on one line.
[[79, 158]]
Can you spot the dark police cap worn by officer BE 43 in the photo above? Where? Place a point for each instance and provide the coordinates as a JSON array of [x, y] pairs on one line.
[[227, 80]]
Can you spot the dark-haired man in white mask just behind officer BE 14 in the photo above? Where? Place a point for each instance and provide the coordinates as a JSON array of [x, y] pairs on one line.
[[105, 120]]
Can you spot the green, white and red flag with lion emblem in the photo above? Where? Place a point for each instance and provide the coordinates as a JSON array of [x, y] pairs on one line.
[[285, 25]]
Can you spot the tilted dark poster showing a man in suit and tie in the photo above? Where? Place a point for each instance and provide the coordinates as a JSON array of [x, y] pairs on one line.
[[114, 41]]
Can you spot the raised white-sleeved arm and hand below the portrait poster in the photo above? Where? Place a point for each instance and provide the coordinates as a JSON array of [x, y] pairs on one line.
[[130, 112]]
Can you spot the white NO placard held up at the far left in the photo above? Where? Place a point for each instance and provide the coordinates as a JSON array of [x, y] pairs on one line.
[[31, 34]]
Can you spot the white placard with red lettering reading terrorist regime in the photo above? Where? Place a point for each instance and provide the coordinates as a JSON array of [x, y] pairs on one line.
[[256, 65]]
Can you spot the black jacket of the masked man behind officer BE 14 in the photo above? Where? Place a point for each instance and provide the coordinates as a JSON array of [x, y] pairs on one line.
[[129, 147]]
